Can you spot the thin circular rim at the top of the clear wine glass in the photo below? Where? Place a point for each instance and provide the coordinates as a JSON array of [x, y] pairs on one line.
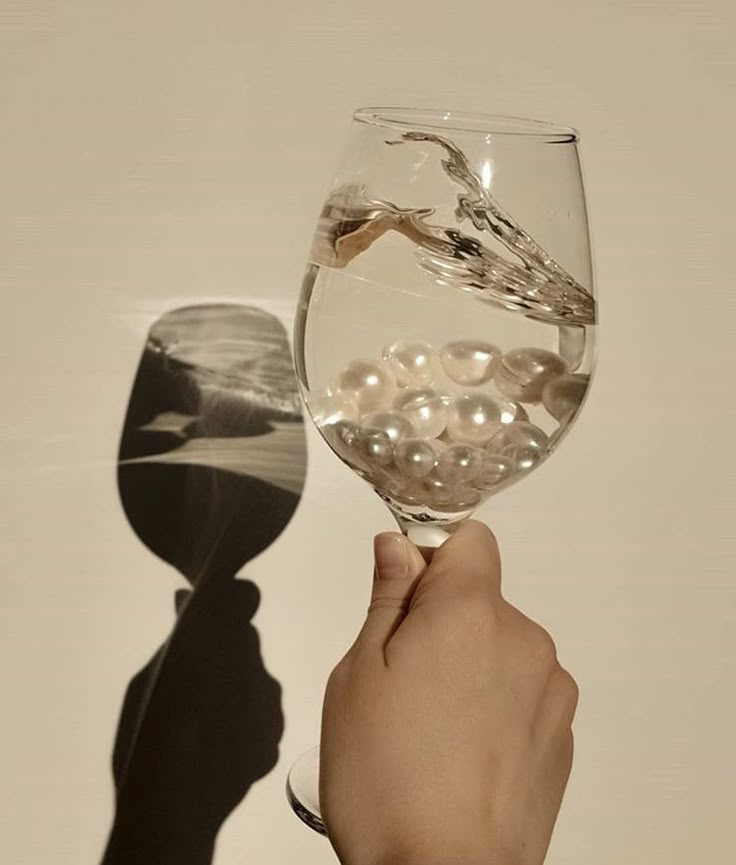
[[432, 119]]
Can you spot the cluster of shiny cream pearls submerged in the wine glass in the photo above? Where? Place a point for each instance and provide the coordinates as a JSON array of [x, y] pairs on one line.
[[445, 448]]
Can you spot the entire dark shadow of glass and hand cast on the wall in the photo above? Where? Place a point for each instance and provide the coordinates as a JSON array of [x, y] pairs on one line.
[[211, 469]]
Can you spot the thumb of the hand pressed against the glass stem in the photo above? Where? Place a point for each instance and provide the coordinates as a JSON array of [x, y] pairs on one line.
[[399, 565]]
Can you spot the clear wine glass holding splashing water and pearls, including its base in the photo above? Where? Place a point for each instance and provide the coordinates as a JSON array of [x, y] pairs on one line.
[[445, 330]]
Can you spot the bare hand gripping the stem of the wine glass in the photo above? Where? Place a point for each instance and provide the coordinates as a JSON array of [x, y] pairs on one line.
[[446, 733]]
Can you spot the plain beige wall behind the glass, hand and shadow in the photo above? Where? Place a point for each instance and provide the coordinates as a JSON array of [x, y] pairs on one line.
[[162, 152]]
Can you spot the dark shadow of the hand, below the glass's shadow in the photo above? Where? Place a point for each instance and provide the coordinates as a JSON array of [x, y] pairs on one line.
[[187, 752]]
